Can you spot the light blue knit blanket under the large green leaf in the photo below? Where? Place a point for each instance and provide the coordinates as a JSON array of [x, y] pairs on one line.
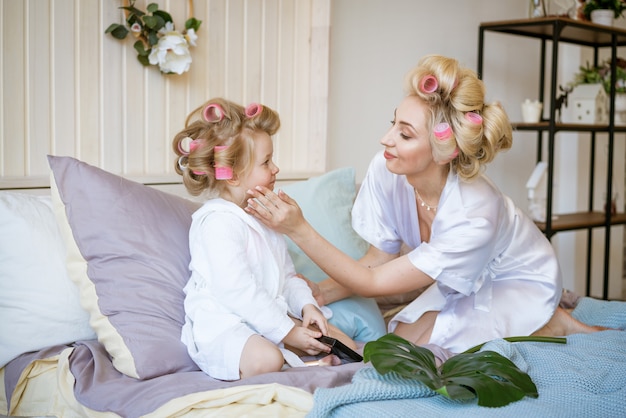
[[584, 378]]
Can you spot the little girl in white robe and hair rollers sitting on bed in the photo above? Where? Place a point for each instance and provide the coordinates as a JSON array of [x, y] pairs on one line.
[[244, 304]]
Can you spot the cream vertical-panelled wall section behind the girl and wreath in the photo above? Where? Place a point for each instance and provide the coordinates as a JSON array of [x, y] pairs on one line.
[[70, 89]]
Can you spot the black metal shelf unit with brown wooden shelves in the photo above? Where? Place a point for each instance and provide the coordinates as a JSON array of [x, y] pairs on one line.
[[556, 30]]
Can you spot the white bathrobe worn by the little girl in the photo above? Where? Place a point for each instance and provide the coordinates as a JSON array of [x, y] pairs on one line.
[[242, 283]]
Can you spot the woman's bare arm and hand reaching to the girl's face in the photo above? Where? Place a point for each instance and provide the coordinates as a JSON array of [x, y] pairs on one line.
[[283, 214]]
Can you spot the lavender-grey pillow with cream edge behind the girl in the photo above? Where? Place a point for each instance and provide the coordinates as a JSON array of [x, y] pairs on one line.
[[128, 252]]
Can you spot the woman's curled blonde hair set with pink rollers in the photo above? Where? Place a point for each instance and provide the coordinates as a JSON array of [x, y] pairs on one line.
[[452, 94]]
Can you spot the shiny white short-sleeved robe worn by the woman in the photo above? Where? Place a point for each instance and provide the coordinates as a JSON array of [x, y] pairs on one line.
[[484, 253]]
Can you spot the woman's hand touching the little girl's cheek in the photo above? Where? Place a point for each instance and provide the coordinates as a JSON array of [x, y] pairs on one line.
[[277, 211]]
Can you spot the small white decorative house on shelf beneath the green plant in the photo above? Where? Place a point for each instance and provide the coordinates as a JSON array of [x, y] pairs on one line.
[[589, 104]]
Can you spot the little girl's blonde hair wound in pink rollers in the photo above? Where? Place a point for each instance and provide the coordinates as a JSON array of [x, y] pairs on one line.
[[231, 125]]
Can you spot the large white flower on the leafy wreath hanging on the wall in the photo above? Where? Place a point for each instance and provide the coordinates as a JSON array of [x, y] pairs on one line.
[[171, 53]]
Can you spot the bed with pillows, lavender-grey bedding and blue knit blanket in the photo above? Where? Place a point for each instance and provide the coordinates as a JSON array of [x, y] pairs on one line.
[[91, 279]]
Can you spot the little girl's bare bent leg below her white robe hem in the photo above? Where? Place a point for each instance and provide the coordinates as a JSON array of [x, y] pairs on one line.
[[259, 356]]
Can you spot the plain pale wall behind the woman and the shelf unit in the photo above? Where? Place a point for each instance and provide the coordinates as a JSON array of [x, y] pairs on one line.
[[374, 43]]
